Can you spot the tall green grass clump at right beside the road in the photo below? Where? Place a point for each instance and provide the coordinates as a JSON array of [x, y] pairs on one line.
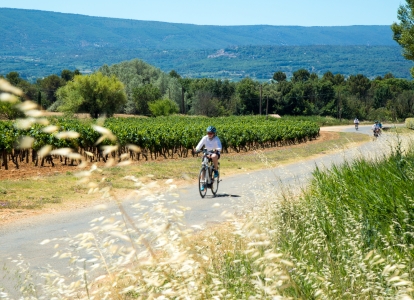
[[351, 234]]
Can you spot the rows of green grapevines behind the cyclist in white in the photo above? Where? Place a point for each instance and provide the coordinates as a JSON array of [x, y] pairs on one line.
[[148, 138]]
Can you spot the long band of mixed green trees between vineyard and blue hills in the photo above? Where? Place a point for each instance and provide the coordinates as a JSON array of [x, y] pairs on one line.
[[135, 87]]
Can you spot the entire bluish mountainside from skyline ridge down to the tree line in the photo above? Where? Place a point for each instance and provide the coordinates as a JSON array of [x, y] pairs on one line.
[[40, 43]]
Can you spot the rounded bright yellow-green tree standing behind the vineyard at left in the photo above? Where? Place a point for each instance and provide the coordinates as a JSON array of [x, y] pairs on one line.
[[95, 94]]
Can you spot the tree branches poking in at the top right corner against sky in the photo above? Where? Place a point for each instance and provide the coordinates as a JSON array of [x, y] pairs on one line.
[[403, 32]]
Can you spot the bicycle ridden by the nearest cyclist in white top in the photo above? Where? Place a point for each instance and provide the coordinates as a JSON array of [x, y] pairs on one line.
[[206, 177]]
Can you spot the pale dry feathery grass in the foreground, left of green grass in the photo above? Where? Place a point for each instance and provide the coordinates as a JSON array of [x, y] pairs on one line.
[[148, 253]]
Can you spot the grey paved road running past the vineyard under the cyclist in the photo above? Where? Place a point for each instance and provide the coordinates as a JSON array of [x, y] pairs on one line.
[[235, 192]]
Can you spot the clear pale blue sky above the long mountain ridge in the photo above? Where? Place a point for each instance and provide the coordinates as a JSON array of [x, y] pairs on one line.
[[229, 12]]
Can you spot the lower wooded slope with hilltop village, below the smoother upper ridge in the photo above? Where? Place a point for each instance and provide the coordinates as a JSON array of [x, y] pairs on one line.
[[258, 62]]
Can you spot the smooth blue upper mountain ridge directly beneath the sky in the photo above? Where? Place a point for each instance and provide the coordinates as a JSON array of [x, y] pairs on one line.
[[31, 29]]
